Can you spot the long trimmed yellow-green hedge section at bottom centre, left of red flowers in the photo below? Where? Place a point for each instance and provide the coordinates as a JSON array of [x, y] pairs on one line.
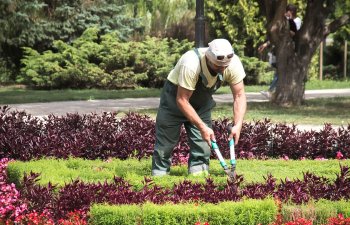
[[244, 212]]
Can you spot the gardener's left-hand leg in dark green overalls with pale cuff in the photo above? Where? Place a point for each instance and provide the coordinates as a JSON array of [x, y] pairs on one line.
[[167, 136]]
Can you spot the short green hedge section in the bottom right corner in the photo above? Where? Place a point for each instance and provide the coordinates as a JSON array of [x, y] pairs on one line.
[[319, 211]]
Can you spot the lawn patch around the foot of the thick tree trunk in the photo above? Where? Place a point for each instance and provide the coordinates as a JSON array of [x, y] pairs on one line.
[[316, 111]]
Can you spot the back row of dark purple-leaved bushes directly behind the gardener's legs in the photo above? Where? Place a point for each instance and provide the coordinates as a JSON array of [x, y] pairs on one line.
[[93, 136]]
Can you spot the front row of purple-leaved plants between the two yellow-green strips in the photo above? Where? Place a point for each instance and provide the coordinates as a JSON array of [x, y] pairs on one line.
[[58, 203]]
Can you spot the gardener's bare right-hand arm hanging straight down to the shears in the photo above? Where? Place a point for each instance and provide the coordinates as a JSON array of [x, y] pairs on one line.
[[239, 109]]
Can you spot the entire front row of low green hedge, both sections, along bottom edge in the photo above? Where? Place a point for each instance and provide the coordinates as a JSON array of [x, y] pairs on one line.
[[244, 212]]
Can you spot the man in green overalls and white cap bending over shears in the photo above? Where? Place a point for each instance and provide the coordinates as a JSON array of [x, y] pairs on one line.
[[187, 100]]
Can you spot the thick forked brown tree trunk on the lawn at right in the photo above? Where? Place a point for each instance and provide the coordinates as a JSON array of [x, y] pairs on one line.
[[294, 53]]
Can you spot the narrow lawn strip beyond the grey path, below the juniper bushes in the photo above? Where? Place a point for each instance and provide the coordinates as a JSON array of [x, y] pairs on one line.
[[20, 94]]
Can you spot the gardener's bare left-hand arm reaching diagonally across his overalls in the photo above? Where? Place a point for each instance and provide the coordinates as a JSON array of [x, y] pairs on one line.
[[182, 100]]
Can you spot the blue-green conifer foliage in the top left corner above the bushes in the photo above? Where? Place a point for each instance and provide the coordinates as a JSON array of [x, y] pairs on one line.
[[38, 23]]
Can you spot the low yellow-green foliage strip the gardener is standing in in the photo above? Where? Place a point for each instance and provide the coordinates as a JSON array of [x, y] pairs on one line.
[[58, 171]]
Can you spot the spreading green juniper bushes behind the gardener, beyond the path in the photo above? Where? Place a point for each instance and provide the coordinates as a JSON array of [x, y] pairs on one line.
[[94, 61]]
